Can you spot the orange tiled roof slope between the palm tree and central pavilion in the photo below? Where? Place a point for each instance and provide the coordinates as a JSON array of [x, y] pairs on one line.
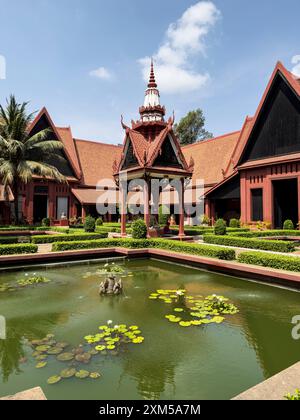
[[96, 160]]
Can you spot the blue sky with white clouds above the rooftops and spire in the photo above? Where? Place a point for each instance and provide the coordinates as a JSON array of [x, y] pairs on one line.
[[86, 60]]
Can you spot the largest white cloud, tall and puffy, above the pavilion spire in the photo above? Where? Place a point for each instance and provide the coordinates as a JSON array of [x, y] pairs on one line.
[[184, 39]]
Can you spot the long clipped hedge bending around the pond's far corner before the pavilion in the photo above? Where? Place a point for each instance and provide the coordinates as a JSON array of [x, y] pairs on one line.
[[186, 248]]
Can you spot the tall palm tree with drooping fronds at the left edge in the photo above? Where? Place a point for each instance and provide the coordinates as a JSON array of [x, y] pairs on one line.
[[22, 156]]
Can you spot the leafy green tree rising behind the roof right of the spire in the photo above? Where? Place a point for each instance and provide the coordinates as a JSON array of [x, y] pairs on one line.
[[191, 128]]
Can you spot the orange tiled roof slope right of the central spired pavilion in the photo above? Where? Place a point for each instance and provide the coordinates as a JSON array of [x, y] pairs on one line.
[[211, 157]]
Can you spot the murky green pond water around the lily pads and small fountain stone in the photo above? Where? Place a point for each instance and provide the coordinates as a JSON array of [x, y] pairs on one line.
[[206, 362]]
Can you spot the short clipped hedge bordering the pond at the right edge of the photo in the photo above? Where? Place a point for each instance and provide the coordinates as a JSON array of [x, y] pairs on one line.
[[280, 262]]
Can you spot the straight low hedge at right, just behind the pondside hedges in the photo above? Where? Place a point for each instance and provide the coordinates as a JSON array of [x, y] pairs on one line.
[[252, 243]]
